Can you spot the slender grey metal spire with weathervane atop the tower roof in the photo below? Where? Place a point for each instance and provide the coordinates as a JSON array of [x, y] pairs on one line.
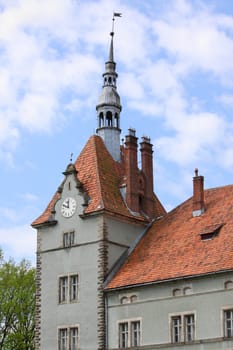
[[109, 106]]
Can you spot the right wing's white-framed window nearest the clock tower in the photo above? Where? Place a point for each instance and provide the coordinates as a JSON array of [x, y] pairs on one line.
[[129, 336]]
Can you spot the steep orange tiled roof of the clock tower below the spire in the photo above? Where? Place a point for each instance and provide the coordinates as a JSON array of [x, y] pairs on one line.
[[101, 178]]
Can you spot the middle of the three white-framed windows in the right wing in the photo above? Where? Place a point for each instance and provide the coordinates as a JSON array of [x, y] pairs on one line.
[[185, 330]]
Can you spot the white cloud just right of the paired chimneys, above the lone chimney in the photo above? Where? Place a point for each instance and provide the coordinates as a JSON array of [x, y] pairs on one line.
[[195, 138]]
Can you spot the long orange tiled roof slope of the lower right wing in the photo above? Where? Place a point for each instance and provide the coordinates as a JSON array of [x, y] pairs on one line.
[[174, 246]]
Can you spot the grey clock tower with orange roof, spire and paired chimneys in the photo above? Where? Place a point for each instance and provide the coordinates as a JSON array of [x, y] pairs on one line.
[[98, 212]]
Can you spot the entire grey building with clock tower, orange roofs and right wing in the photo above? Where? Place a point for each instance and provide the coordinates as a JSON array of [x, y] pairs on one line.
[[114, 270]]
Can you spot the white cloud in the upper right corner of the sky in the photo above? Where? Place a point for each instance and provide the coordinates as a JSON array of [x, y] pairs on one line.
[[198, 38]]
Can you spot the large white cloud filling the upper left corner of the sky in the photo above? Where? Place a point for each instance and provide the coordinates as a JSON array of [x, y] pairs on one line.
[[38, 65]]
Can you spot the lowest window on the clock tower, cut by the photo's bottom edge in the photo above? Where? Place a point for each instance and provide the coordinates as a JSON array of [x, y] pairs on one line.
[[68, 338]]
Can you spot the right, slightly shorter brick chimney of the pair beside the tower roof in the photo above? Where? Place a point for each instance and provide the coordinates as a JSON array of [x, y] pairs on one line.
[[147, 169]]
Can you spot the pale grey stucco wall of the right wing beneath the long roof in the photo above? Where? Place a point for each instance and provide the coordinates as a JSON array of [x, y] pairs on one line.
[[155, 304]]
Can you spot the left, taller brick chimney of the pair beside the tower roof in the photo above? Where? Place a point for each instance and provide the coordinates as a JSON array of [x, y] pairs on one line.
[[131, 170]]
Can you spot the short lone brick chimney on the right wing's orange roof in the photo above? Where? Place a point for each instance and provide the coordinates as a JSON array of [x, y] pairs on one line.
[[198, 194]]
